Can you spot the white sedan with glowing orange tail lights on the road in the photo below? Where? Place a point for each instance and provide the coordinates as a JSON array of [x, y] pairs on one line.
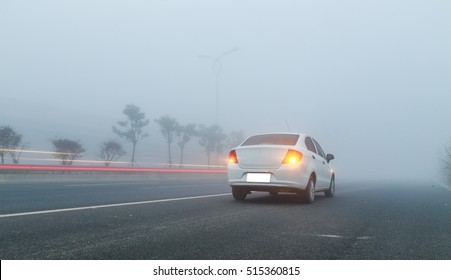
[[280, 163]]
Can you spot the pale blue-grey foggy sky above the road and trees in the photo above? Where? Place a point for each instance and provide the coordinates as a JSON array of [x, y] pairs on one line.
[[370, 80]]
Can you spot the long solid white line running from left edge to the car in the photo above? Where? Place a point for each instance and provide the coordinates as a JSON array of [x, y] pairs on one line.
[[109, 205]]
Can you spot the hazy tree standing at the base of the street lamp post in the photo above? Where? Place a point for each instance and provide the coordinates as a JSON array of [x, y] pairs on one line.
[[212, 139]]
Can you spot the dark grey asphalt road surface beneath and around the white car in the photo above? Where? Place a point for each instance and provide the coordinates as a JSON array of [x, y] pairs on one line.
[[198, 219]]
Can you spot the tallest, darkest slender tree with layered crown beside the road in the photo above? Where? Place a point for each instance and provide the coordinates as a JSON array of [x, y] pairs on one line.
[[132, 128]]
